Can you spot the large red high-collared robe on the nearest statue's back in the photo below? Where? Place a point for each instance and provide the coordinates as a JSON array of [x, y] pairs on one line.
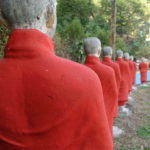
[[47, 102]]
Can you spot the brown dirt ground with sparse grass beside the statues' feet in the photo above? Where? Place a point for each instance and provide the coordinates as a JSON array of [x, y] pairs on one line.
[[136, 127]]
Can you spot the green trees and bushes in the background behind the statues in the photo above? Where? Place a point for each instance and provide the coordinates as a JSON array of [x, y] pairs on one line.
[[78, 19]]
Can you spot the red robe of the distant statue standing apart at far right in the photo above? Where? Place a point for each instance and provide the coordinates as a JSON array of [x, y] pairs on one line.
[[143, 71]]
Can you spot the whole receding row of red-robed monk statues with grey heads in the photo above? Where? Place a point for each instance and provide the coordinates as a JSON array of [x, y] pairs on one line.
[[51, 103]]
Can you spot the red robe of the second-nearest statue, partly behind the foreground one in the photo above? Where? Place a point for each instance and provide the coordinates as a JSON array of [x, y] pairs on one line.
[[107, 78]]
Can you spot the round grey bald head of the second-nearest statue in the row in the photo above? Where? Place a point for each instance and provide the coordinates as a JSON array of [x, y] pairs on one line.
[[92, 46]]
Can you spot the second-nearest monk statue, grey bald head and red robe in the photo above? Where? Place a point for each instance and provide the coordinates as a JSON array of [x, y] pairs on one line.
[[92, 48]]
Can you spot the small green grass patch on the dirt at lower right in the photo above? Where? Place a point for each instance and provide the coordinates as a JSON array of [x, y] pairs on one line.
[[144, 132]]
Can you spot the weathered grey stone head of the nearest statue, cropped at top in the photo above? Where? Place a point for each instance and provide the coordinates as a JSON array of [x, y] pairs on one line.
[[29, 14]]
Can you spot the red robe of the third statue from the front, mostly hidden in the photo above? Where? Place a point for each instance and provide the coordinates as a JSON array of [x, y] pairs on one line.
[[107, 61]]
